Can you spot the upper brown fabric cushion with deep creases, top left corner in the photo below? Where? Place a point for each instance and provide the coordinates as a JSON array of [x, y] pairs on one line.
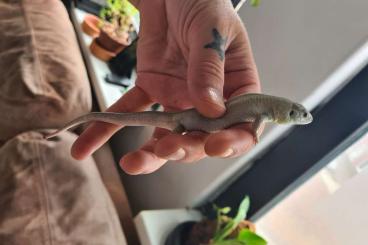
[[43, 81]]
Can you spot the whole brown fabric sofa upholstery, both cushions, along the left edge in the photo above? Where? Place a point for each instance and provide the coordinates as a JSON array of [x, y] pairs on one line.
[[46, 197]]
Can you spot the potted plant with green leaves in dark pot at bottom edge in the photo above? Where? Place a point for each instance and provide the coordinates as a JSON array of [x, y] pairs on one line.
[[221, 231]]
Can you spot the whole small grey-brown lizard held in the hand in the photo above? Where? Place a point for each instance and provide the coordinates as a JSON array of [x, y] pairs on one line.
[[252, 108]]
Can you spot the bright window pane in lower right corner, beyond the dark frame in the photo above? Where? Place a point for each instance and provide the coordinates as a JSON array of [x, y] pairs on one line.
[[329, 208]]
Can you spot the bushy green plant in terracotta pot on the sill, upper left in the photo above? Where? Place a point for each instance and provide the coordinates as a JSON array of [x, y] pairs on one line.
[[116, 28]]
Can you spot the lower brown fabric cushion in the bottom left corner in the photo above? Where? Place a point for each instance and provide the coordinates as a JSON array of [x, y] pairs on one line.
[[49, 198]]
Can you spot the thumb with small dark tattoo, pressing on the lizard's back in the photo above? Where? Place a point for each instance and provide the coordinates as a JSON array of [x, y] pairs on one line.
[[207, 59]]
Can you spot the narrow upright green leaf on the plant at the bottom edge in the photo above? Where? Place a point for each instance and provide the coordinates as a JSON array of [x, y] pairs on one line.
[[231, 225]]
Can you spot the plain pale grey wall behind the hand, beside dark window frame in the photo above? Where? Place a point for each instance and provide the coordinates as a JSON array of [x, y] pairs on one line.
[[297, 44]]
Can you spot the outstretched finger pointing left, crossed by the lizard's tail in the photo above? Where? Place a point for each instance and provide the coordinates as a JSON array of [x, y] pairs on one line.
[[98, 133]]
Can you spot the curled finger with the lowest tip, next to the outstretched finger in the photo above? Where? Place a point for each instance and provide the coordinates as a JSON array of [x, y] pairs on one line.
[[144, 161]]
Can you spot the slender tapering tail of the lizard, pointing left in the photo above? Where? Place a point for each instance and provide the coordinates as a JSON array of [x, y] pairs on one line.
[[148, 118]]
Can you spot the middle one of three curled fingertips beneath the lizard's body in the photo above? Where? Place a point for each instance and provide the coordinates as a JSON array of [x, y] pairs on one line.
[[183, 148]]
